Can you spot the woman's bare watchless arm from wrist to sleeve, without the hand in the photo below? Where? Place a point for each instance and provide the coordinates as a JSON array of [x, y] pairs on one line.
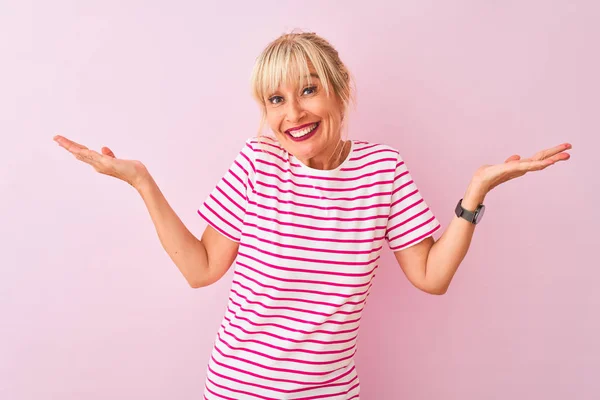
[[201, 262]]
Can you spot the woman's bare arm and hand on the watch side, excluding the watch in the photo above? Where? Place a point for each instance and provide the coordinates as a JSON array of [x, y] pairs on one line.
[[446, 254]]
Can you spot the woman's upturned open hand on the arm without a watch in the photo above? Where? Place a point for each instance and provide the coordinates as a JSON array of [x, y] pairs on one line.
[[130, 171]]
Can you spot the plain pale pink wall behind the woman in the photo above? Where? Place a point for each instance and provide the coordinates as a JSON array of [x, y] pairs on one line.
[[93, 308]]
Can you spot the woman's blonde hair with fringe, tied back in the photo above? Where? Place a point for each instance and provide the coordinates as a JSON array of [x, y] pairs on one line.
[[288, 57]]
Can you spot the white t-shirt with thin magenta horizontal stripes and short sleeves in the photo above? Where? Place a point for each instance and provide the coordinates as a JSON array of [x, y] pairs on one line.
[[309, 246]]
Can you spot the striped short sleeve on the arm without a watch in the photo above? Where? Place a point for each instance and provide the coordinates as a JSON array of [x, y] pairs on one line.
[[225, 208]]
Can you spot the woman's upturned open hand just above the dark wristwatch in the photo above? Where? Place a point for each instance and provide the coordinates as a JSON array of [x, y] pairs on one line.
[[490, 176]]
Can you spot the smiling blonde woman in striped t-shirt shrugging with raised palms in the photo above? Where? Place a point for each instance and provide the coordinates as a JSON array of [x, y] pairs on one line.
[[304, 214]]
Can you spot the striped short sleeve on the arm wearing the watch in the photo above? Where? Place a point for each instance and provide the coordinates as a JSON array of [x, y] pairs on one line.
[[410, 220]]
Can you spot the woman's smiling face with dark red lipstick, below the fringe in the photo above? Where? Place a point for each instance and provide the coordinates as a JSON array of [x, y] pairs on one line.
[[305, 120]]
